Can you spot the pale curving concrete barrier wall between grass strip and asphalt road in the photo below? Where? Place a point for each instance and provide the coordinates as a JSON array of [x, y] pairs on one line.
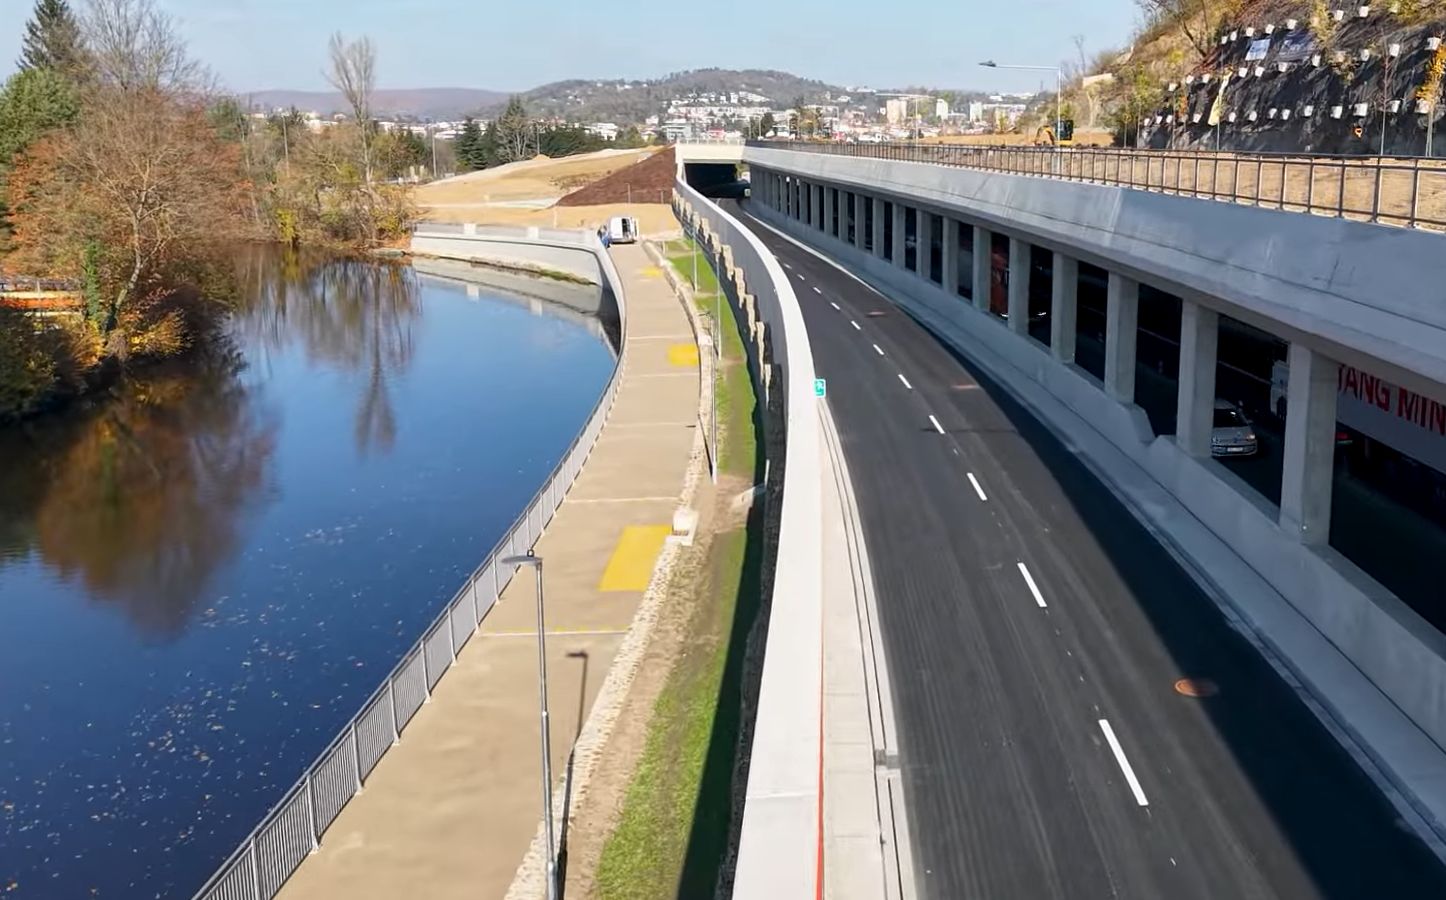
[[782, 837]]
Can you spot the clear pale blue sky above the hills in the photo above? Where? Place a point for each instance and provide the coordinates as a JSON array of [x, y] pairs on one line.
[[511, 46]]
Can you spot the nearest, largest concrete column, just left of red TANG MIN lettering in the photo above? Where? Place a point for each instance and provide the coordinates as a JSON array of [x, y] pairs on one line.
[[1311, 446]]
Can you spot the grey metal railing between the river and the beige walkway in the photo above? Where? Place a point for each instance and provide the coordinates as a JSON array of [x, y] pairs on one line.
[[293, 828]]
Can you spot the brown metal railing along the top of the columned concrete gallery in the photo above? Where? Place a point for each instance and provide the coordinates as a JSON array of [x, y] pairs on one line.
[[1399, 192]]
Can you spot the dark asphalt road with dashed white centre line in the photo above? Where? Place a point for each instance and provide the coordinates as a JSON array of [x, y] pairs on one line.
[[1036, 633]]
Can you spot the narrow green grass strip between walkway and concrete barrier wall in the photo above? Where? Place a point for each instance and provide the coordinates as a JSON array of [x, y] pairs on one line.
[[676, 820]]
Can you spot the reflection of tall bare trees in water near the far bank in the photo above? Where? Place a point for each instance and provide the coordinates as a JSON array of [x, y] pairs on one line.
[[352, 316]]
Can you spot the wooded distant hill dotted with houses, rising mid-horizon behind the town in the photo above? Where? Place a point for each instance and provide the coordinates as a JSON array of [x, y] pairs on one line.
[[631, 101]]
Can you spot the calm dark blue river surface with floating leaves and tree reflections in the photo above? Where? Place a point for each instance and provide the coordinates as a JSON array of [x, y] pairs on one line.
[[208, 572]]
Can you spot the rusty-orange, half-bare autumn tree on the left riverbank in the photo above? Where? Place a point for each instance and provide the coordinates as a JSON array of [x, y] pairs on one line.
[[142, 190]]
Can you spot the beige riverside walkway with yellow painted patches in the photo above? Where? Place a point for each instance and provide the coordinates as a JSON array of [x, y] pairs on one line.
[[452, 810]]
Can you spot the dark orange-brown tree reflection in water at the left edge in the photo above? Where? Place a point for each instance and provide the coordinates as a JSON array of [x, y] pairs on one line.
[[142, 496]]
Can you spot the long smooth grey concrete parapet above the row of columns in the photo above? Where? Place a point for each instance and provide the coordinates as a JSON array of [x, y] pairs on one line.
[[1359, 293]]
